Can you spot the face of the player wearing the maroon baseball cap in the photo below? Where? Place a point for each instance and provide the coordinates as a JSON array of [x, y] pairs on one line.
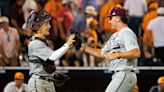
[[114, 21]]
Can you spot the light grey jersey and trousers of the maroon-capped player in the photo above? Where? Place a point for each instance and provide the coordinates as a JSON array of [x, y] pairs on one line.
[[123, 80]]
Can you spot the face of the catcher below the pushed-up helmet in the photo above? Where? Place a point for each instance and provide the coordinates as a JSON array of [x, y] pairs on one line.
[[44, 29]]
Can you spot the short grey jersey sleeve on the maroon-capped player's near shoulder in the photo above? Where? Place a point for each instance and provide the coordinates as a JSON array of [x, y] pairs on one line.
[[129, 40]]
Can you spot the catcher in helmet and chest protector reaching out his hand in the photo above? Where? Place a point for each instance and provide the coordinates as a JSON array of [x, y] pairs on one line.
[[41, 55]]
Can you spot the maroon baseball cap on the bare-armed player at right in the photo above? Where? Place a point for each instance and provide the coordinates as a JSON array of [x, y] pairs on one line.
[[117, 11]]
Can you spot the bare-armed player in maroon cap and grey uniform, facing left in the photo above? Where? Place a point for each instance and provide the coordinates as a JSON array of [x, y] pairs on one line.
[[121, 51]]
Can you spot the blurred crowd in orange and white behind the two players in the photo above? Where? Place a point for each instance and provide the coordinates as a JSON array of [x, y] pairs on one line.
[[89, 18]]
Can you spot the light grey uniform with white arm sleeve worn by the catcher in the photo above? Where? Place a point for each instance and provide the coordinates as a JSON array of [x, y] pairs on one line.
[[39, 49]]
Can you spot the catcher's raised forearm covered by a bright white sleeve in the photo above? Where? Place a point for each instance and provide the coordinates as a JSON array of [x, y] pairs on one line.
[[59, 53]]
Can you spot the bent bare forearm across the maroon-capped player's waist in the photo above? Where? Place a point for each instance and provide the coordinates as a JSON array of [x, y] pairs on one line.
[[135, 53]]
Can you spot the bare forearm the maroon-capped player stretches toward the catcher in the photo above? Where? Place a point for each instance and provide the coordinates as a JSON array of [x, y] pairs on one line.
[[94, 52]]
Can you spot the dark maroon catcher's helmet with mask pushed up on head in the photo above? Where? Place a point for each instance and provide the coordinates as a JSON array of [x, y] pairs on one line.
[[36, 19]]
